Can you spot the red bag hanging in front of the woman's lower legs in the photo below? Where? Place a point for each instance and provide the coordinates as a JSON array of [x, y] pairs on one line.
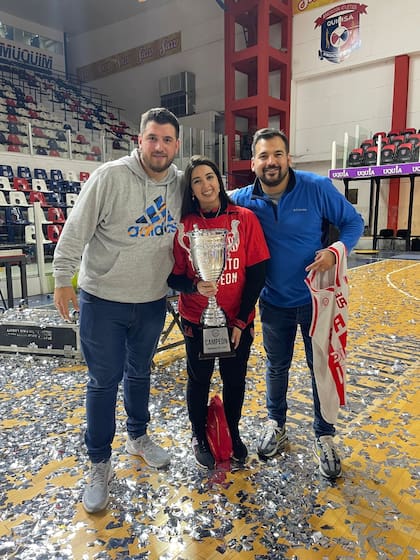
[[217, 430]]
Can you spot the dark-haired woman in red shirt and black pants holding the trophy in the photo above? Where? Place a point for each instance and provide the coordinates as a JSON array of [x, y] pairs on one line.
[[206, 205]]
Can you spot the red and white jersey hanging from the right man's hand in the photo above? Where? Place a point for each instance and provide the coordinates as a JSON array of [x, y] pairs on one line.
[[329, 292]]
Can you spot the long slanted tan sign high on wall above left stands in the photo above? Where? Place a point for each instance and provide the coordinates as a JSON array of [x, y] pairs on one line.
[[165, 46]]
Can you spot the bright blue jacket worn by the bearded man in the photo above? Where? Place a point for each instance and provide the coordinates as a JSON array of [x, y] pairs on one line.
[[294, 230]]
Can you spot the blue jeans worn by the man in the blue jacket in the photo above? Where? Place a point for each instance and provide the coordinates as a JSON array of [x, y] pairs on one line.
[[279, 327]]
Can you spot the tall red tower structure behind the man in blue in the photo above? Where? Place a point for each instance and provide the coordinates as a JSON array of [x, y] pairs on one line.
[[258, 57]]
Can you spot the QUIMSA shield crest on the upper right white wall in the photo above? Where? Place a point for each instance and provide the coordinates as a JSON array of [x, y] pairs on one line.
[[340, 33]]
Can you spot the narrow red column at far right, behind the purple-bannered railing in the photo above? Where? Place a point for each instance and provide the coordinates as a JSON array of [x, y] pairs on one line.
[[399, 116]]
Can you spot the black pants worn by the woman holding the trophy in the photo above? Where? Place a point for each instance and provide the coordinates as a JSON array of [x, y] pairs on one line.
[[232, 372]]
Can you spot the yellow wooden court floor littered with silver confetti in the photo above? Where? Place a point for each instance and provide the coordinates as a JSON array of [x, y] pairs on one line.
[[280, 509]]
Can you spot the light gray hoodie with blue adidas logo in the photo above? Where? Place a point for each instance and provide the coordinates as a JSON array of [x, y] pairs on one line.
[[122, 225]]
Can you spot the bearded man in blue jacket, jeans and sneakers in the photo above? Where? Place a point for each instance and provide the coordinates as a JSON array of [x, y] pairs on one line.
[[293, 208]]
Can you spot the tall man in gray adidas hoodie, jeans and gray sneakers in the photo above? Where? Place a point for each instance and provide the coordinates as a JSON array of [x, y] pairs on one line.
[[119, 236]]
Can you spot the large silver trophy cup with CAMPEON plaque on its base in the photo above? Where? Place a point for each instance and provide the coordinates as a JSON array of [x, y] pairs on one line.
[[208, 252]]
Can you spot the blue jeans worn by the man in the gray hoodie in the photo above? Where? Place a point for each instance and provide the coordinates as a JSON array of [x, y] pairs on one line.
[[118, 342]]
